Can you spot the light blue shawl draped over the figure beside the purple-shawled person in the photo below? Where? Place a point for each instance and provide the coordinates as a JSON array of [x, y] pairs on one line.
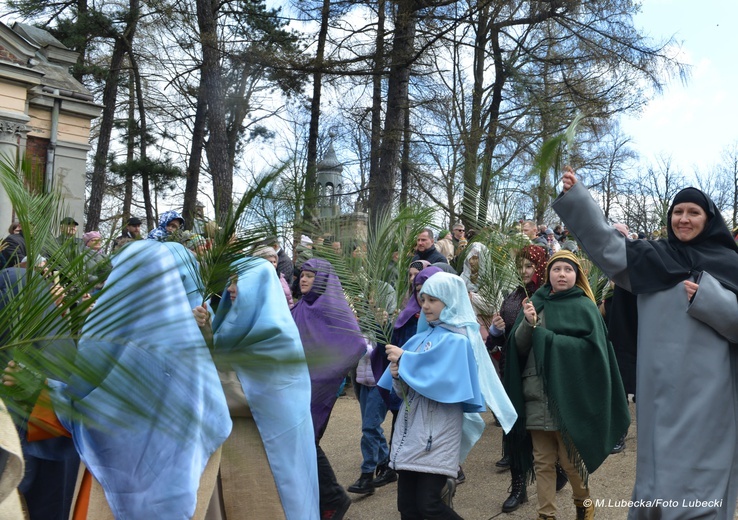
[[257, 337]]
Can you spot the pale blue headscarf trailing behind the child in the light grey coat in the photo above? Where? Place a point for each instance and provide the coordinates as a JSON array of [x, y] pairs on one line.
[[458, 313]]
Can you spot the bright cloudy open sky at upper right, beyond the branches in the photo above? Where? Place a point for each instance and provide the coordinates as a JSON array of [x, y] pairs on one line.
[[692, 122]]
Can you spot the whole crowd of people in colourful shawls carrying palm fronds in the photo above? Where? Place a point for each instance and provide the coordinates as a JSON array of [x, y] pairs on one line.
[[167, 403]]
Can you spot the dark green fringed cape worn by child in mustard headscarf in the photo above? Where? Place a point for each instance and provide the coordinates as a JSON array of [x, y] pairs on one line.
[[580, 376]]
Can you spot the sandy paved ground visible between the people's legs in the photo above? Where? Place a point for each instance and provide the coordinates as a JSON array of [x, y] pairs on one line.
[[485, 489]]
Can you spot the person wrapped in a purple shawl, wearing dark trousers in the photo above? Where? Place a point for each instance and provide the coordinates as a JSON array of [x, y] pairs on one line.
[[333, 346]]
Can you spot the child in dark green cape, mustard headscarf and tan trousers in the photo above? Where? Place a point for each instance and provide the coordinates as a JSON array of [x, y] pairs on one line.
[[565, 384]]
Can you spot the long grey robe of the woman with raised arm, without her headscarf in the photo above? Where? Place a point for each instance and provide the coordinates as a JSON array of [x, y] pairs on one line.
[[687, 412]]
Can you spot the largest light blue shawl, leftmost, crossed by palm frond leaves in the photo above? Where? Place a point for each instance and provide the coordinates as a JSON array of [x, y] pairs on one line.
[[156, 413]]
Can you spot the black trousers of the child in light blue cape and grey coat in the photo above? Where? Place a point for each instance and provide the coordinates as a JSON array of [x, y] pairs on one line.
[[419, 497]]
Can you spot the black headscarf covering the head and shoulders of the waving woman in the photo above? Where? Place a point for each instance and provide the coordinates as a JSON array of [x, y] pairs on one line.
[[659, 265]]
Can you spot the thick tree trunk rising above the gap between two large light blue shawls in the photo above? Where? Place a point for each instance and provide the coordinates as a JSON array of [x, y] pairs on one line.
[[217, 144]]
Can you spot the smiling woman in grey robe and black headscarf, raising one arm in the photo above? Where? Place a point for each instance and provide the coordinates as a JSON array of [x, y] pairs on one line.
[[686, 288]]
